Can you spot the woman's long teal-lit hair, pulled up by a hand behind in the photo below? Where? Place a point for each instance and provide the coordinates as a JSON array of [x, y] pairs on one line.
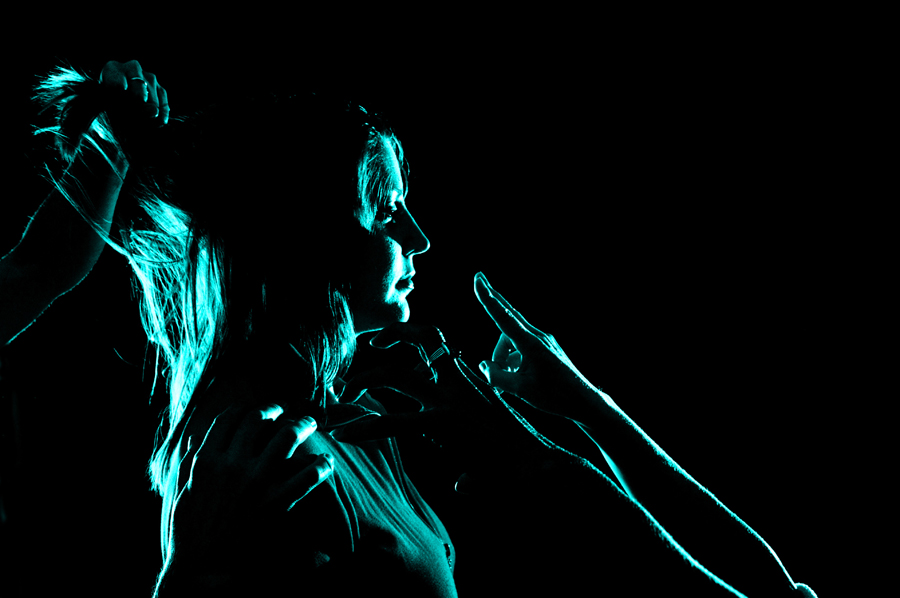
[[240, 222]]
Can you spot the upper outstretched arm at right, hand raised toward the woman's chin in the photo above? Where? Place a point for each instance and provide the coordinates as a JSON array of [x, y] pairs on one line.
[[698, 522]]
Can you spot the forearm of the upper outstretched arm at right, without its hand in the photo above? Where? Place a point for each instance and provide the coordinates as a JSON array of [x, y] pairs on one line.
[[707, 529]]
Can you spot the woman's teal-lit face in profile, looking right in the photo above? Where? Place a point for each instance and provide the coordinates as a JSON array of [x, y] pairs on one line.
[[378, 297]]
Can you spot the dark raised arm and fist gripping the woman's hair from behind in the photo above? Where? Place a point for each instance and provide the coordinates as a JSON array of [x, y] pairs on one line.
[[58, 248]]
